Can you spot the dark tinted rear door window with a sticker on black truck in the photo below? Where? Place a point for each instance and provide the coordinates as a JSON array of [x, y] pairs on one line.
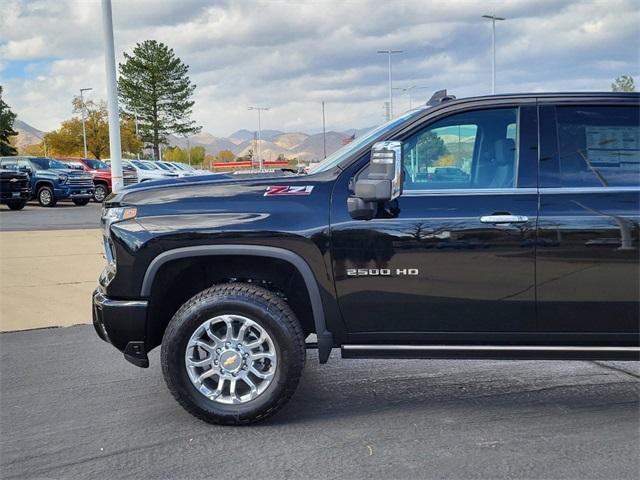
[[597, 147]]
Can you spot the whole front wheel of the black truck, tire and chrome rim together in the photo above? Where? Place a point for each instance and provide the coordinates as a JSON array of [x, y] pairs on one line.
[[233, 354]]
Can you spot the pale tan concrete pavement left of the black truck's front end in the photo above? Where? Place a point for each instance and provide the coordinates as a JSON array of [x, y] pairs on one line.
[[46, 277]]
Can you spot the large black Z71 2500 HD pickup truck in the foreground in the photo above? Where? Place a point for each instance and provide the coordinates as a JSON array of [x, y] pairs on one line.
[[529, 251]]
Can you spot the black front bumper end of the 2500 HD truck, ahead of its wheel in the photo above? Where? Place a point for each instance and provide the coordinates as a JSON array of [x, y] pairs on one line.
[[122, 323]]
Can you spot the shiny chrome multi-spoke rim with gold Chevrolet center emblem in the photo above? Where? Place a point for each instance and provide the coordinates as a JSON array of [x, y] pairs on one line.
[[230, 359]]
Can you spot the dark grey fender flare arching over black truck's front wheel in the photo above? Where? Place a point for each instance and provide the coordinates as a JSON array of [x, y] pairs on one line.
[[325, 338]]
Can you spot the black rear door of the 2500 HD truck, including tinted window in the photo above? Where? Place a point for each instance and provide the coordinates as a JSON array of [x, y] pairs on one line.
[[588, 266]]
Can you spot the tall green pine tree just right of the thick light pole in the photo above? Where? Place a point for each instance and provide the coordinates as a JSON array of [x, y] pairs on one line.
[[154, 86]]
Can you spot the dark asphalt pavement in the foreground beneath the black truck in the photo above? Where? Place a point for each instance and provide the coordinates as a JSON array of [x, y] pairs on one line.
[[73, 408]]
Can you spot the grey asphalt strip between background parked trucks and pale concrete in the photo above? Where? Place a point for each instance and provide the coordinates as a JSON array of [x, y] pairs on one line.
[[65, 215]]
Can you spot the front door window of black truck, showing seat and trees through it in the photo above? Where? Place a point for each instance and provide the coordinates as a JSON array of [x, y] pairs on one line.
[[465, 151]]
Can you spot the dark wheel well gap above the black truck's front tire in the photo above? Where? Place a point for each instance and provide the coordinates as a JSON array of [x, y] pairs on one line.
[[178, 280]]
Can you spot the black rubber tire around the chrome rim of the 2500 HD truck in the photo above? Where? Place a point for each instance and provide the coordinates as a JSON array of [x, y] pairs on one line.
[[261, 306]]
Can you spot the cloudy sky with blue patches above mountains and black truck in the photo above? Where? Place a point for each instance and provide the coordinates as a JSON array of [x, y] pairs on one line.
[[292, 55]]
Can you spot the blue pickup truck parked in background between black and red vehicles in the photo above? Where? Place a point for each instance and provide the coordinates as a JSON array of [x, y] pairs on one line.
[[51, 180]]
